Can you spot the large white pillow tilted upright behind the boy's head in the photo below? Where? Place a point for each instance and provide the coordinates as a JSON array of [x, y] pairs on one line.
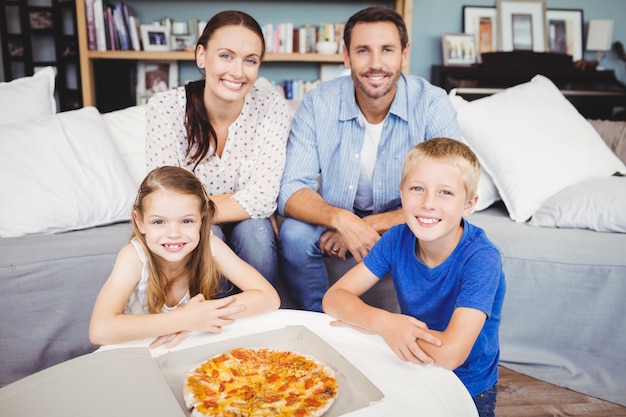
[[533, 143]]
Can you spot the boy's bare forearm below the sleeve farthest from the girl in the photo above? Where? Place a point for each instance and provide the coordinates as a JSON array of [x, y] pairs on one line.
[[458, 338]]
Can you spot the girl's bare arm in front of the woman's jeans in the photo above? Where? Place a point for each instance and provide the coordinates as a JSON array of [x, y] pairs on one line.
[[257, 294]]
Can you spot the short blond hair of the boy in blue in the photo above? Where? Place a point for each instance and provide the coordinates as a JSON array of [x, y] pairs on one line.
[[449, 151]]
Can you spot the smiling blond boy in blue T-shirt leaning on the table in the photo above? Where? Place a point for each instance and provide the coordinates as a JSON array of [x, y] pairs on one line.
[[447, 274]]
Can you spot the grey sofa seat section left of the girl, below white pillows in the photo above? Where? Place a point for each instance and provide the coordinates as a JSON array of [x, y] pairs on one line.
[[49, 286]]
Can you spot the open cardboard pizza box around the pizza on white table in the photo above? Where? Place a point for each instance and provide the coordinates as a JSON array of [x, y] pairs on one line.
[[130, 382]]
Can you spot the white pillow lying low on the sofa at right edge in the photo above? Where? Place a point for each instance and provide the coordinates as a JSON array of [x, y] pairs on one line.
[[596, 204]]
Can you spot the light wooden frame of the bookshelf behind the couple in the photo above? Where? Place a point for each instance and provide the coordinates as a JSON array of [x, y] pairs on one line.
[[88, 57]]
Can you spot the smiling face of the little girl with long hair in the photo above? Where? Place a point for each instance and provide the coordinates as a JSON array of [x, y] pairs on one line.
[[171, 224]]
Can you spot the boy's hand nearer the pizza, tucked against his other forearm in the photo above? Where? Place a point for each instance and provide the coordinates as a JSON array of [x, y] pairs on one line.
[[401, 333]]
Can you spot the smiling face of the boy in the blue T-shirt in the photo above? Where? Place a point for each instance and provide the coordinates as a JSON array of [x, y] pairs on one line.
[[434, 200]]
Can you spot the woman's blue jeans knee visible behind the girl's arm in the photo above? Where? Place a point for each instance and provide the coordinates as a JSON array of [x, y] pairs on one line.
[[253, 241]]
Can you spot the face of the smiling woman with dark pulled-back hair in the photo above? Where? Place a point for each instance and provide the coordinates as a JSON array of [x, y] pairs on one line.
[[231, 60]]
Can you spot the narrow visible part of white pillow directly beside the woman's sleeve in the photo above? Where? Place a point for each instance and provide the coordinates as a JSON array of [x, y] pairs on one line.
[[128, 130]]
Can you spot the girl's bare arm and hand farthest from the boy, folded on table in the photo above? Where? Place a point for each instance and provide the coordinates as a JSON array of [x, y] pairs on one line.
[[110, 325]]
